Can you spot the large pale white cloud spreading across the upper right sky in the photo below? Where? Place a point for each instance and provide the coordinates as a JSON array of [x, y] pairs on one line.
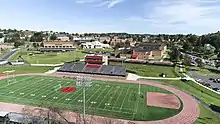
[[187, 14]]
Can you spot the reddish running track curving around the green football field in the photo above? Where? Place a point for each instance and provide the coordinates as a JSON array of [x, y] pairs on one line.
[[188, 115]]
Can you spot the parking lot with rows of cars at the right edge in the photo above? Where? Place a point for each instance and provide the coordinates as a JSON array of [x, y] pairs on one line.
[[205, 79]]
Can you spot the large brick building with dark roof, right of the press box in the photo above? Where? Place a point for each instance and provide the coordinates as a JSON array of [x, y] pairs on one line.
[[148, 51]]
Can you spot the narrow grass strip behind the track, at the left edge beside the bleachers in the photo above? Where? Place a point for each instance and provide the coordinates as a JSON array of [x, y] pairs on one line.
[[25, 69]]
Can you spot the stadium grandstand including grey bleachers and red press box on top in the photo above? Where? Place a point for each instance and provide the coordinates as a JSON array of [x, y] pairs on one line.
[[94, 65]]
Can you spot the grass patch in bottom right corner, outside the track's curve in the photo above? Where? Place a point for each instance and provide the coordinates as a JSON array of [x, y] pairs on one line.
[[207, 116]]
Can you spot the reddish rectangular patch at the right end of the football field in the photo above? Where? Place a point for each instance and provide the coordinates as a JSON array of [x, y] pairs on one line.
[[163, 100]]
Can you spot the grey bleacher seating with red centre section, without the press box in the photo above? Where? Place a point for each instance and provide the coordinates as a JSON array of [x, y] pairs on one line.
[[94, 69]]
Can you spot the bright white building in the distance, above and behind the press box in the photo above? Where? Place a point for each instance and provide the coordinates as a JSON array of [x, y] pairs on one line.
[[94, 44]]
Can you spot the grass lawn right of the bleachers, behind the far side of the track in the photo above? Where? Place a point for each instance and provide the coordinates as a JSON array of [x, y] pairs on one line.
[[148, 70]]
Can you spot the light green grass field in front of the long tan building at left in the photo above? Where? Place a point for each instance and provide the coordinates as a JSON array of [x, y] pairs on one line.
[[48, 58]]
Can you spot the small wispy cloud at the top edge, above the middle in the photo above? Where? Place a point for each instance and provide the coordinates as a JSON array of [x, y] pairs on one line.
[[100, 3]]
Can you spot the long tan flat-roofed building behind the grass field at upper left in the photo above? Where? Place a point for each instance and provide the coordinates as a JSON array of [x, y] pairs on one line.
[[57, 46]]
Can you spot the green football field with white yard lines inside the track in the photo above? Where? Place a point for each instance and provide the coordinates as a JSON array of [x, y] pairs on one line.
[[111, 99]]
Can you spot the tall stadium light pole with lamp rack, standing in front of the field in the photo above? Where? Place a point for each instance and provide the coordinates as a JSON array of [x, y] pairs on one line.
[[83, 81]]
